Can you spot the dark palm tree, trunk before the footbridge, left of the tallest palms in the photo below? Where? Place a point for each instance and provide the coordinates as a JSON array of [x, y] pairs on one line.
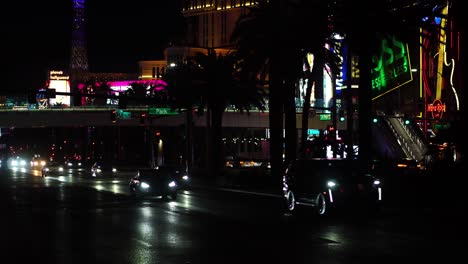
[[222, 86]]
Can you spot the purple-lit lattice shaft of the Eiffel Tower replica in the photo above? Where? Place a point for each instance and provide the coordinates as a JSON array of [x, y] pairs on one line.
[[79, 54]]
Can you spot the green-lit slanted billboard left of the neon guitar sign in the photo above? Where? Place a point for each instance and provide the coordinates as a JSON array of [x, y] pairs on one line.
[[392, 66]]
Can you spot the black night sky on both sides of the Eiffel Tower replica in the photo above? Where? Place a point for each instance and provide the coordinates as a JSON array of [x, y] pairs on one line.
[[36, 36]]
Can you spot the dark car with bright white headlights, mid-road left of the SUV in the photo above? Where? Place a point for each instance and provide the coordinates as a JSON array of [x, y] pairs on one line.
[[161, 181]]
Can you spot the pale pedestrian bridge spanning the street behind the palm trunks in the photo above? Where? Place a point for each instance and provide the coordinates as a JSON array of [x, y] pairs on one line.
[[101, 116]]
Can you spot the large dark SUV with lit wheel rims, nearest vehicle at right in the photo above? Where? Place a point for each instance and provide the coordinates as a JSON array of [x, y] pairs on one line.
[[328, 185]]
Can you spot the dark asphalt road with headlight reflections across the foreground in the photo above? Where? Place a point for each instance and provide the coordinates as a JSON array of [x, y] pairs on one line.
[[80, 221]]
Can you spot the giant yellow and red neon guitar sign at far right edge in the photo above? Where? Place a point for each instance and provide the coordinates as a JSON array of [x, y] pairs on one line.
[[440, 87]]
